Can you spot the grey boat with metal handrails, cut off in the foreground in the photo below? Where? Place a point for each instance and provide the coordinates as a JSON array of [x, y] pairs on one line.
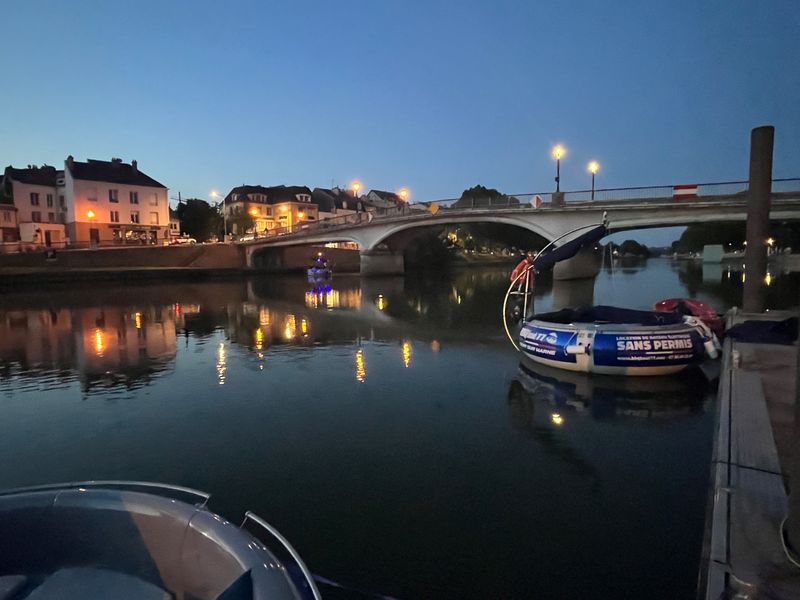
[[135, 540]]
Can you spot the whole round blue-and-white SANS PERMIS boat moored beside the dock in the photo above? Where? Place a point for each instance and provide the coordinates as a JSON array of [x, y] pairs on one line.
[[617, 341]]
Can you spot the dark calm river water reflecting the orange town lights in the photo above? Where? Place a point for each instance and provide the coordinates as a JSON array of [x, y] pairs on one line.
[[383, 425]]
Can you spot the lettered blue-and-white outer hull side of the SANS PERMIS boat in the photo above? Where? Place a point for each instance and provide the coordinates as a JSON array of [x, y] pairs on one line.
[[613, 349]]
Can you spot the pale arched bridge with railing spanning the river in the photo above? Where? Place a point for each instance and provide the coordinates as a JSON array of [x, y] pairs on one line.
[[382, 238]]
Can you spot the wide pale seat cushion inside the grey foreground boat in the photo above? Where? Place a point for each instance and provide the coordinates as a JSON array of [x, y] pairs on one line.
[[82, 582]]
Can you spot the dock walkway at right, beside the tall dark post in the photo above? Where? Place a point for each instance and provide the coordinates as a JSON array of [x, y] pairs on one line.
[[744, 556]]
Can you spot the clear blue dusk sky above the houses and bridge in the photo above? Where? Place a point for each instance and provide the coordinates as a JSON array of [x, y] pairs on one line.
[[436, 96]]
